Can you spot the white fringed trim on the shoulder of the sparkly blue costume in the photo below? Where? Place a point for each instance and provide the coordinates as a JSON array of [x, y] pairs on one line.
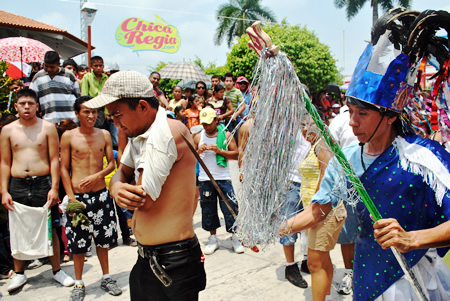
[[420, 160]]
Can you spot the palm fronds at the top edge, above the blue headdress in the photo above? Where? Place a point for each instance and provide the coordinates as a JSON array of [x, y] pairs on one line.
[[353, 6]]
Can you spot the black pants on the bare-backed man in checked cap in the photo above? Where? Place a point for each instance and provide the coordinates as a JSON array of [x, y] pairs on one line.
[[186, 269]]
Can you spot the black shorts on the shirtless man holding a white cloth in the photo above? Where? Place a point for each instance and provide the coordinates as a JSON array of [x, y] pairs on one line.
[[32, 192]]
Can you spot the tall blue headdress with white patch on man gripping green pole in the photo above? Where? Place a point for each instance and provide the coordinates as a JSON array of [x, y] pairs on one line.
[[383, 67]]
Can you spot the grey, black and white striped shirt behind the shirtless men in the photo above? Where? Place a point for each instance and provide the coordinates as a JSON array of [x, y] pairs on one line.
[[56, 95]]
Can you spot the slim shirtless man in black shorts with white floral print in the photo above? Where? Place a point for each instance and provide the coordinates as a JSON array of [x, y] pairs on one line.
[[82, 151]]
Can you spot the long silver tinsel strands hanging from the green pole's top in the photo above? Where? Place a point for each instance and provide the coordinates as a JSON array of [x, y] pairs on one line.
[[278, 115]]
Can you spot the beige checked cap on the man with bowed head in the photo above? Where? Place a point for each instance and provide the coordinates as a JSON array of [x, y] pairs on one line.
[[123, 84]]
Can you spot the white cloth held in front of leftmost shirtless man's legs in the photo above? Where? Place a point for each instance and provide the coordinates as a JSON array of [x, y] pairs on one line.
[[29, 232]]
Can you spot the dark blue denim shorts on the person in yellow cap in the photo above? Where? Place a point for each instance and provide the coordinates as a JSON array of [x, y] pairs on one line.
[[208, 203]]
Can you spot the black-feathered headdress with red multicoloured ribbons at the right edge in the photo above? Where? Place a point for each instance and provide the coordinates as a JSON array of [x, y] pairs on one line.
[[427, 44]]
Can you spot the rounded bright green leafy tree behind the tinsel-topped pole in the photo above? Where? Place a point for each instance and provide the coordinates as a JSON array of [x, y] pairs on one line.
[[313, 62]]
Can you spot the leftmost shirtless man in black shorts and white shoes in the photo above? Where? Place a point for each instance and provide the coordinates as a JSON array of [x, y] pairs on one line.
[[30, 174]]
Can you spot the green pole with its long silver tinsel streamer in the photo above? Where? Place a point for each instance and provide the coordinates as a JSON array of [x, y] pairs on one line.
[[279, 111]]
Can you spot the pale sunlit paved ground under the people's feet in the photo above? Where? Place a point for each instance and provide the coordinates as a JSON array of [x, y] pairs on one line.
[[248, 276]]
